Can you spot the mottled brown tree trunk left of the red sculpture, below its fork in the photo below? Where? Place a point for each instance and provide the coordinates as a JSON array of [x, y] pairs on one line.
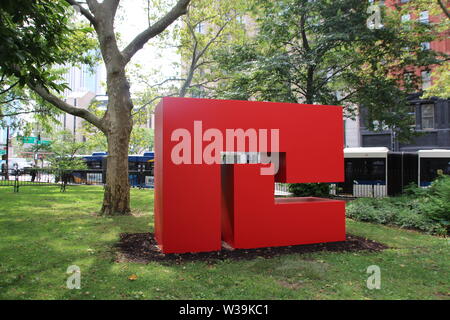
[[116, 199]]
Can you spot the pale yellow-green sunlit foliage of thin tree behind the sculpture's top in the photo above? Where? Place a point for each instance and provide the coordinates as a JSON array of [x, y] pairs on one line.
[[208, 27]]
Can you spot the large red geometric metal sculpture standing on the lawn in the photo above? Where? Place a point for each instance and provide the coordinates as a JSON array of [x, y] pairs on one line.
[[200, 202]]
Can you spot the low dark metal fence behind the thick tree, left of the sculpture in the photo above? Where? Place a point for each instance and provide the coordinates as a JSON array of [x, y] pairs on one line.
[[63, 178]]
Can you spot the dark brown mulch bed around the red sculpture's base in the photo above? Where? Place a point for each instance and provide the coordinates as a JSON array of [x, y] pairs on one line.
[[142, 248]]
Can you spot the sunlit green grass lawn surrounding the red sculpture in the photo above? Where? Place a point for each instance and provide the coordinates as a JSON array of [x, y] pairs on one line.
[[43, 232]]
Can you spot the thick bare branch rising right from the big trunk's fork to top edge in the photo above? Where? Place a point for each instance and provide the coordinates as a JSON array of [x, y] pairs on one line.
[[141, 39]]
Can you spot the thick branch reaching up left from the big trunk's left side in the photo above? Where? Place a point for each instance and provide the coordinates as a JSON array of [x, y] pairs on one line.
[[60, 104]]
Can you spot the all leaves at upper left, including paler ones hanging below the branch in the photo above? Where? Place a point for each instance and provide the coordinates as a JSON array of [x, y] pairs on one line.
[[38, 37]]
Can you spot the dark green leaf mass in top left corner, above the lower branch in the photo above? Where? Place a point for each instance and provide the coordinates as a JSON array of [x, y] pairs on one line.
[[36, 35]]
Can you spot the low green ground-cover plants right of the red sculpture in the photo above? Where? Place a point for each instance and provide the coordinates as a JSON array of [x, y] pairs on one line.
[[427, 210]]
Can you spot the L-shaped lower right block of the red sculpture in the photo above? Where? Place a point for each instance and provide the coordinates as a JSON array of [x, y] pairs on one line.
[[252, 218]]
